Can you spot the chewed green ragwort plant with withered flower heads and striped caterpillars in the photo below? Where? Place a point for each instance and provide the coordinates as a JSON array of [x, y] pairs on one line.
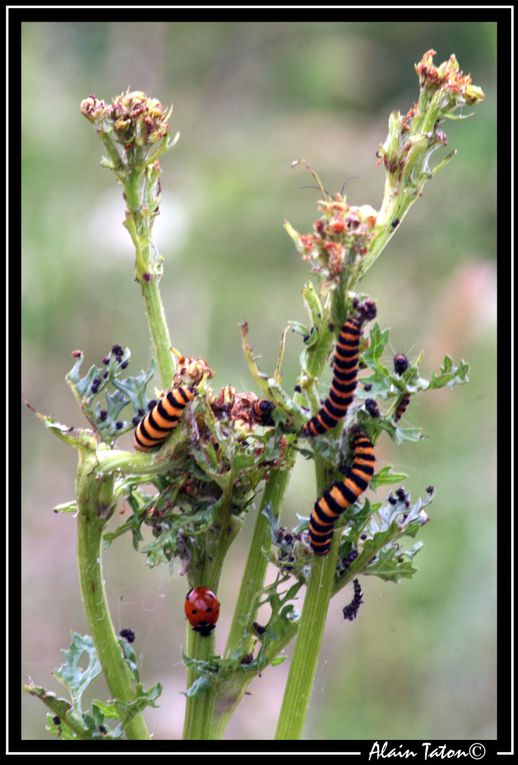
[[227, 453]]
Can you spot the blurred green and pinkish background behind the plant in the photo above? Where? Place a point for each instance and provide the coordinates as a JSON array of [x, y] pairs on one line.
[[248, 99]]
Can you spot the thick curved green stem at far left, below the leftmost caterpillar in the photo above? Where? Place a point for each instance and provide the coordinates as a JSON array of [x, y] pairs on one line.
[[94, 496]]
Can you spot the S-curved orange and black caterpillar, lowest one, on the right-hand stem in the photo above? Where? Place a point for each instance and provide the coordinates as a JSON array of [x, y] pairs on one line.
[[336, 500]]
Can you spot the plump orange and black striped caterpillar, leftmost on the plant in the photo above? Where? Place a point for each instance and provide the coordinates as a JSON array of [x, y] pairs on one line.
[[162, 419]]
